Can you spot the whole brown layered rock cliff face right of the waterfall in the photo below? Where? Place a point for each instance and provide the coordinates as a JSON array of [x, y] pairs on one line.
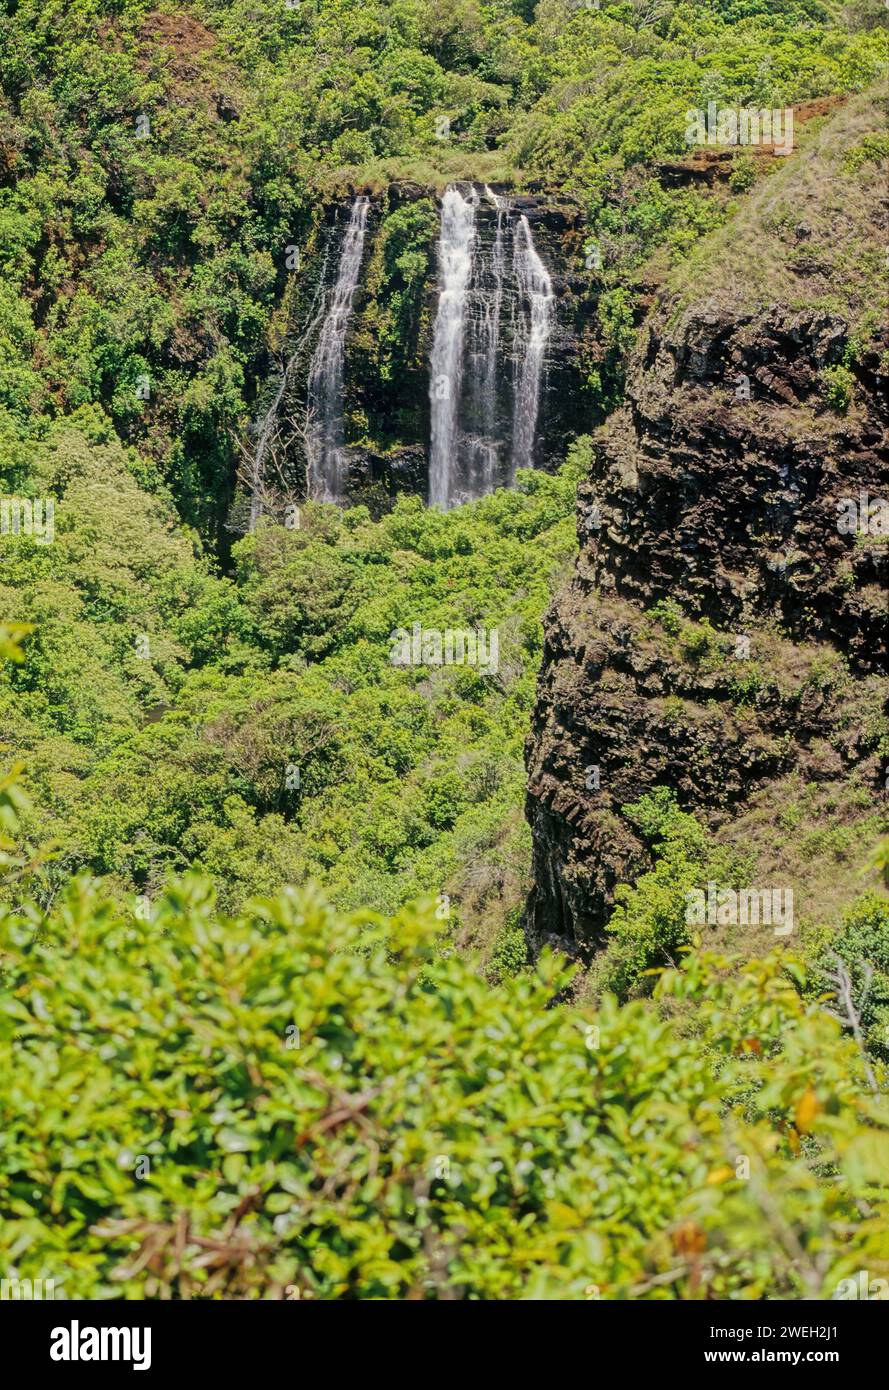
[[719, 497]]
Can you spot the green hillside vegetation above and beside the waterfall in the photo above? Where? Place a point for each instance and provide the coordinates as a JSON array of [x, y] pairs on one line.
[[158, 163]]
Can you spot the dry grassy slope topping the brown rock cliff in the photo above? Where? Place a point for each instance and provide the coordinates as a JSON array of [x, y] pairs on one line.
[[812, 233]]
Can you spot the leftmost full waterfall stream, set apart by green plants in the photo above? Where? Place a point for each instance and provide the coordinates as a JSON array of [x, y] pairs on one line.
[[324, 423]]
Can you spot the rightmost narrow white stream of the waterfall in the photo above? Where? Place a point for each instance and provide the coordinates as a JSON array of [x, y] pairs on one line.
[[535, 322]]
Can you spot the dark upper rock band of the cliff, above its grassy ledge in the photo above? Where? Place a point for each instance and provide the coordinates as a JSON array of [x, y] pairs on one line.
[[730, 505]]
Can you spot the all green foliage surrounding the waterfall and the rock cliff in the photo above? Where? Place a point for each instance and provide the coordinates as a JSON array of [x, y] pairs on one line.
[[254, 876]]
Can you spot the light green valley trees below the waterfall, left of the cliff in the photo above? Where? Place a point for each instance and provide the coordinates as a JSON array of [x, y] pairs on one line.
[[265, 735]]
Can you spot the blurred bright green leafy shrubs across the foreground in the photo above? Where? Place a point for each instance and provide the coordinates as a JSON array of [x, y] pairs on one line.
[[302, 1104]]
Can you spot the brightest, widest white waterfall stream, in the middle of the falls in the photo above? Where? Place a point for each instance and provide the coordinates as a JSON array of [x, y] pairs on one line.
[[456, 247]]
